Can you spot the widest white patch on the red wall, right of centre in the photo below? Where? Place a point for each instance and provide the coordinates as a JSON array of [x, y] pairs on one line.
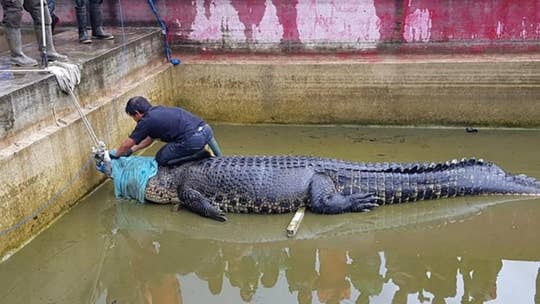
[[351, 23]]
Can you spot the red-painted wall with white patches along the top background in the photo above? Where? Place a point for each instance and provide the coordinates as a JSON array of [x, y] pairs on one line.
[[365, 25]]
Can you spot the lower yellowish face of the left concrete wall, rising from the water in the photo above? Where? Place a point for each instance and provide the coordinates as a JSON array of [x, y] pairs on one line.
[[42, 180]]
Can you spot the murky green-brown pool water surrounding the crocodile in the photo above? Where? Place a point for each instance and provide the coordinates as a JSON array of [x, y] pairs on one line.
[[470, 250]]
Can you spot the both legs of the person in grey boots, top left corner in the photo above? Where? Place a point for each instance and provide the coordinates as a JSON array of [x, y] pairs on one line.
[[12, 26]]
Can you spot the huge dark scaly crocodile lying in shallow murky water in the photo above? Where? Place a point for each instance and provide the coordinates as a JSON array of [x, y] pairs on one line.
[[277, 184]]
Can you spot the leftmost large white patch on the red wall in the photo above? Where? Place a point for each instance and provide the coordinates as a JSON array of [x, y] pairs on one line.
[[223, 23]]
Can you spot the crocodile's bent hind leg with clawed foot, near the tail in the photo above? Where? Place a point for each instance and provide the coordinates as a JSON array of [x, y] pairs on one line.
[[325, 198]]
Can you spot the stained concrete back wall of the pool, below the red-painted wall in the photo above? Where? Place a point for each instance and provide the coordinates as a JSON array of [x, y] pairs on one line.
[[438, 90]]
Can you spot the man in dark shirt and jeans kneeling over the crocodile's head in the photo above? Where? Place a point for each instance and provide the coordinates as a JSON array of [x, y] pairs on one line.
[[185, 134]]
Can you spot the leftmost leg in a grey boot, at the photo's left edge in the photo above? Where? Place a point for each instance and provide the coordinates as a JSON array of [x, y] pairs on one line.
[[12, 28]]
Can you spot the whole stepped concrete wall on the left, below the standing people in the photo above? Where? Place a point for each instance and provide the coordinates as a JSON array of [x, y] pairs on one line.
[[47, 166]]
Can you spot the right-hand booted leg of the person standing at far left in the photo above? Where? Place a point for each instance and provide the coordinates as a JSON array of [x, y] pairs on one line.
[[34, 8]]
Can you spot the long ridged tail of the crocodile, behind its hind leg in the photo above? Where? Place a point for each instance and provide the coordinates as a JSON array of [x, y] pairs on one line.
[[407, 182]]
